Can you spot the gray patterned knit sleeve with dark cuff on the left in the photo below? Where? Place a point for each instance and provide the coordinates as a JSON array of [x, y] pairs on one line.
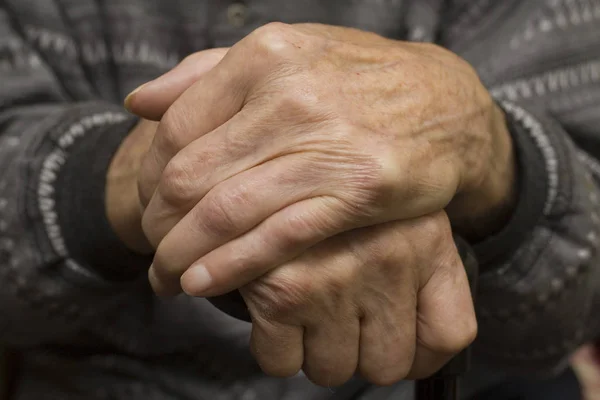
[[57, 137]]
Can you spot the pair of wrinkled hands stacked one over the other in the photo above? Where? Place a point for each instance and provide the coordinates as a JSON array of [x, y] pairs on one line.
[[310, 167]]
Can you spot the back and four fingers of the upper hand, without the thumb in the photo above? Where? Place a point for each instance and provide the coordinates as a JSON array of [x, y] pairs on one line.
[[298, 134]]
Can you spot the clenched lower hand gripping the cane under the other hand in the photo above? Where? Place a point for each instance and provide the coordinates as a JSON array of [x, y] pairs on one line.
[[390, 302]]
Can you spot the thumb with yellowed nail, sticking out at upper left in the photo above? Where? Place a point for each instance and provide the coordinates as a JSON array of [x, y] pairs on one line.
[[152, 99]]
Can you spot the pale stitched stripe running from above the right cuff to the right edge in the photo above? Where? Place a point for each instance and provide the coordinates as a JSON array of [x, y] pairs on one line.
[[561, 79]]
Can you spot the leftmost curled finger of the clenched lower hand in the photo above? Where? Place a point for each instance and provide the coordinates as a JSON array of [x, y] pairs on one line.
[[277, 348]]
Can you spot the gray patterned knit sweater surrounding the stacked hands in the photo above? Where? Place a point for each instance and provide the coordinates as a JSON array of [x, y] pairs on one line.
[[86, 332]]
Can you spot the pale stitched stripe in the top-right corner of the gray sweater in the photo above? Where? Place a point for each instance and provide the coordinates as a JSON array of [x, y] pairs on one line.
[[558, 15]]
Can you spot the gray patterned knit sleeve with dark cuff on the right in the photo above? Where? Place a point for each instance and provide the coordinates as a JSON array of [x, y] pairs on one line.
[[539, 294]]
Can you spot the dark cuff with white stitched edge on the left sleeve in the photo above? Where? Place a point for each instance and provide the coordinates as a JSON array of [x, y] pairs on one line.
[[74, 177]]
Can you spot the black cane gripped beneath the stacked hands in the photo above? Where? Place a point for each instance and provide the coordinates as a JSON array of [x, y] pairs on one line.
[[444, 385]]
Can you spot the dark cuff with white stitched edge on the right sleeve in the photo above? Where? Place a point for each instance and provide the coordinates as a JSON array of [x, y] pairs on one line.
[[534, 164]]
